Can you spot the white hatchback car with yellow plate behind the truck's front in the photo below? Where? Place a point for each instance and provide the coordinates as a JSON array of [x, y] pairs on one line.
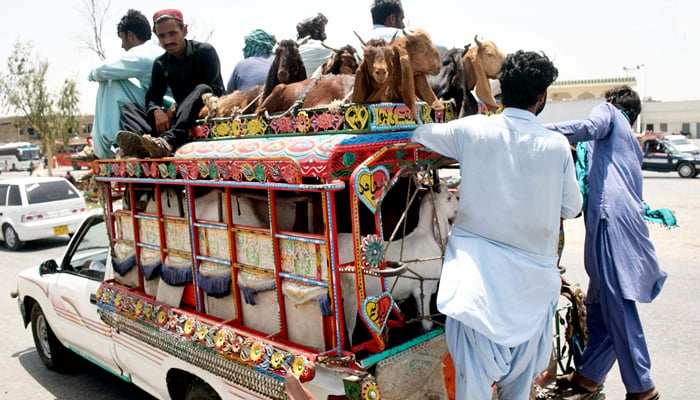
[[38, 207]]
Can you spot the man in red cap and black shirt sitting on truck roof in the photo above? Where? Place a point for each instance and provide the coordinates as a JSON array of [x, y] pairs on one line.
[[190, 69]]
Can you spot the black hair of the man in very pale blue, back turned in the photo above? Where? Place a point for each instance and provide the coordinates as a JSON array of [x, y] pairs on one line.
[[524, 76]]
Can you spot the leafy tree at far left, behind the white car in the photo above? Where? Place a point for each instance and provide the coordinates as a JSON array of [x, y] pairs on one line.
[[23, 90]]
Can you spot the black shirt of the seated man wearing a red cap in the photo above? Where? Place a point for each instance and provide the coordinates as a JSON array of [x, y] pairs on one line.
[[199, 65]]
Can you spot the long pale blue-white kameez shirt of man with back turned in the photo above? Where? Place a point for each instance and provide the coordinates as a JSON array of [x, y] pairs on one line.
[[499, 275]]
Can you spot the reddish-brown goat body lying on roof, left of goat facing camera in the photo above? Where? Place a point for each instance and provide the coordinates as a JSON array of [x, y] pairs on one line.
[[309, 93]]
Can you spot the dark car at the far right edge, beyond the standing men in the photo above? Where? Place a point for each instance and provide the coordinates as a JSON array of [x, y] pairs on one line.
[[663, 156]]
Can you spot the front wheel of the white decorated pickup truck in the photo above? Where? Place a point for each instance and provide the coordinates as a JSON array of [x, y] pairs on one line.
[[52, 353]]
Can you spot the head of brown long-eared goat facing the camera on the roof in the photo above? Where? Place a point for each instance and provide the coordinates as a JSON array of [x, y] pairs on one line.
[[373, 76]]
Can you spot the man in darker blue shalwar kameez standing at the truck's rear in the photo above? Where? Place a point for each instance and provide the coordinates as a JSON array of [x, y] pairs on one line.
[[619, 257]]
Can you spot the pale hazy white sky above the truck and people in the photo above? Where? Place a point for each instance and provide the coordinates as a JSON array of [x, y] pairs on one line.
[[656, 42]]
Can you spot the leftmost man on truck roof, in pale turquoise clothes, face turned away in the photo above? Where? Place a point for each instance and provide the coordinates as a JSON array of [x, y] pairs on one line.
[[116, 85]]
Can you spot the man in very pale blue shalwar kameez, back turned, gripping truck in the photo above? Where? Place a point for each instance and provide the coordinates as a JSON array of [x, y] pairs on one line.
[[500, 284]]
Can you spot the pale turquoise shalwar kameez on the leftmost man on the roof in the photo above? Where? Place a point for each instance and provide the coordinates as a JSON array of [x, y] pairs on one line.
[[122, 79]]
